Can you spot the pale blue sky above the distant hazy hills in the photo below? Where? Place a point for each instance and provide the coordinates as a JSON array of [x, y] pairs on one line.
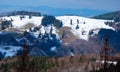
[[110, 5]]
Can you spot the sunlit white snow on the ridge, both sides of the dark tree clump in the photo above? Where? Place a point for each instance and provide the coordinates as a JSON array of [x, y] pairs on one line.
[[85, 25]]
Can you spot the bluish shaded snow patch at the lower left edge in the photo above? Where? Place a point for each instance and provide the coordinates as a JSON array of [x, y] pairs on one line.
[[9, 50]]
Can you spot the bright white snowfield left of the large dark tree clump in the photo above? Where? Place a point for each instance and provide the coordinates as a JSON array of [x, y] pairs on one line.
[[17, 22]]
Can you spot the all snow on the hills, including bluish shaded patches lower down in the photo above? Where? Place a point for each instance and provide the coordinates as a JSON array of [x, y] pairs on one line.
[[85, 26]]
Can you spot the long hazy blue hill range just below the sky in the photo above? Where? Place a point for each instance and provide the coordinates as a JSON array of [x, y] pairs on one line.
[[53, 11]]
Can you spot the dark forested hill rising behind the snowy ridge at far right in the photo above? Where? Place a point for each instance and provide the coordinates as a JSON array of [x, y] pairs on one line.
[[108, 16]]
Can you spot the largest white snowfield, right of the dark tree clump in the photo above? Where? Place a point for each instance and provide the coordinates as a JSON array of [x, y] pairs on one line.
[[85, 24]]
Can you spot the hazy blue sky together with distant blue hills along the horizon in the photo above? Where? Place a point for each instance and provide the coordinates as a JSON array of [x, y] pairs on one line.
[[60, 7]]
